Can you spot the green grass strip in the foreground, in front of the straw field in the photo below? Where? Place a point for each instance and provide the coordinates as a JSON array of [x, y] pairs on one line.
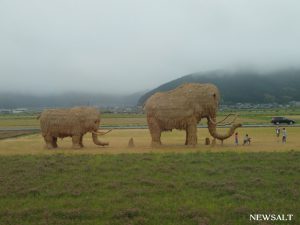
[[169, 189]]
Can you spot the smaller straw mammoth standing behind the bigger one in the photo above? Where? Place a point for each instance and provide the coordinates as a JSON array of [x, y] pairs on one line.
[[73, 122]]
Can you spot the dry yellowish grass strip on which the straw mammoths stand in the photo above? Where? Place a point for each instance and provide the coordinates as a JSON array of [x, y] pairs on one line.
[[263, 139]]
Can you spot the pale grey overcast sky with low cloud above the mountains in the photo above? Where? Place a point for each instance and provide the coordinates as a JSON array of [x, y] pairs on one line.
[[125, 46]]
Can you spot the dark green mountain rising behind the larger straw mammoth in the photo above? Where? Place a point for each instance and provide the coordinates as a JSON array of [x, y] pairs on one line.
[[244, 86]]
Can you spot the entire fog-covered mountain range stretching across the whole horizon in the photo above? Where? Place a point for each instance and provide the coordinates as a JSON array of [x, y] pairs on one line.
[[236, 86]]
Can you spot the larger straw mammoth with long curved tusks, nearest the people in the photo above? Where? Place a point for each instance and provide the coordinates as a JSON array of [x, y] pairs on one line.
[[183, 108]]
